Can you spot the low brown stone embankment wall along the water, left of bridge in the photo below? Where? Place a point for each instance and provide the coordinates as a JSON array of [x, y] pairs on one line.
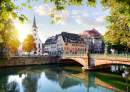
[[20, 61]]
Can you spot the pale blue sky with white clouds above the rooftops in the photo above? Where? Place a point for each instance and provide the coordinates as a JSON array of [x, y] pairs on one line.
[[74, 19]]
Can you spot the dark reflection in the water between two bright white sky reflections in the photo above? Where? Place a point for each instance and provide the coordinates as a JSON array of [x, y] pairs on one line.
[[30, 83]]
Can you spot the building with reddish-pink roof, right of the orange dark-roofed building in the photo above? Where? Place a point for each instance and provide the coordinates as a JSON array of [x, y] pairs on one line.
[[92, 39]]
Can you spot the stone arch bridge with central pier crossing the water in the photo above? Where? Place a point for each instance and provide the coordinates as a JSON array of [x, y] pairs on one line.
[[89, 62]]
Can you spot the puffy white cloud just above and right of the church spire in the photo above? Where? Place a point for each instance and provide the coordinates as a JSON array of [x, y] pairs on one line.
[[43, 9]]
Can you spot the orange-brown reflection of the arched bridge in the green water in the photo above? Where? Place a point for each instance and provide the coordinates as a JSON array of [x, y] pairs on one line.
[[89, 80]]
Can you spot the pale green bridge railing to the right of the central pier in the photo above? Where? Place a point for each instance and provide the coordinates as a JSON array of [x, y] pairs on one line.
[[111, 56]]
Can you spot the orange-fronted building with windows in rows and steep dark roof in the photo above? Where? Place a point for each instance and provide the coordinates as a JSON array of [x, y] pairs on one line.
[[69, 43]]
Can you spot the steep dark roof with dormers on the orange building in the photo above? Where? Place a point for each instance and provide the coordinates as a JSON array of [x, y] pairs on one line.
[[71, 37]]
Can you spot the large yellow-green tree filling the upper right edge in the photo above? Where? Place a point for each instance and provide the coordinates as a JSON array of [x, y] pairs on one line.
[[119, 29]]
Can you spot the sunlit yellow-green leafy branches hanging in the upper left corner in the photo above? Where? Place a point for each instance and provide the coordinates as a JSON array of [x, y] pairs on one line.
[[7, 9]]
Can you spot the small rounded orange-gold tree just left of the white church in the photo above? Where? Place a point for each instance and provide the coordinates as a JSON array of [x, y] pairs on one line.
[[28, 44]]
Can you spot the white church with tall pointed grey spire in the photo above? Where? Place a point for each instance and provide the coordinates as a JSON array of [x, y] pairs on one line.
[[38, 41]]
